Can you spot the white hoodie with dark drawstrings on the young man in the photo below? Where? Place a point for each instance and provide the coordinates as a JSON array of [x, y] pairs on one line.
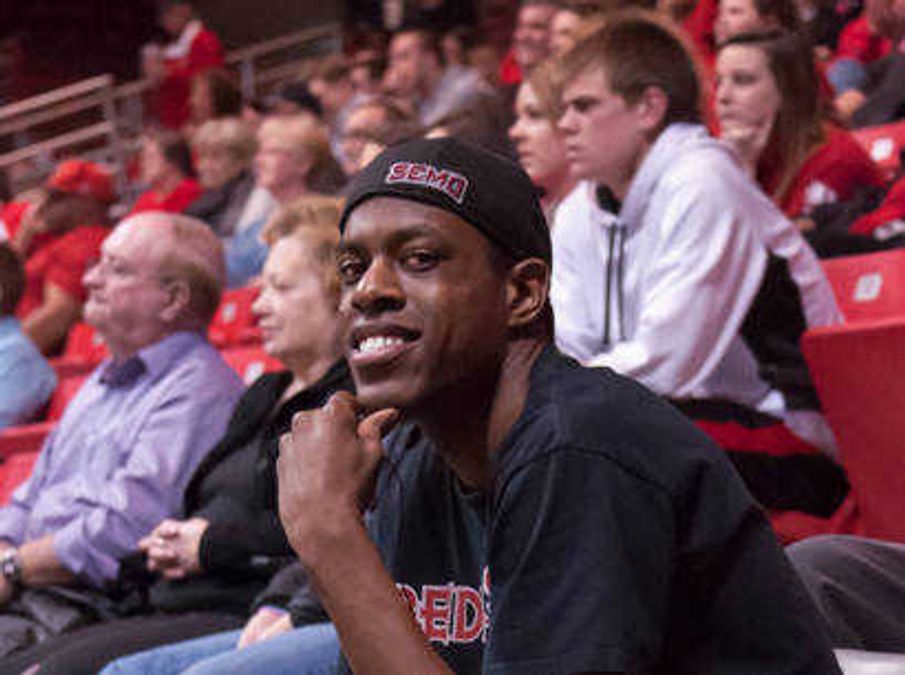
[[685, 259]]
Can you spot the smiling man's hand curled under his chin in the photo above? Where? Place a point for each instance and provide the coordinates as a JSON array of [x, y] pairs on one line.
[[326, 470]]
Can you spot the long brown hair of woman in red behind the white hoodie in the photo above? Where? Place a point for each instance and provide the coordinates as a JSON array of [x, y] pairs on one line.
[[798, 127]]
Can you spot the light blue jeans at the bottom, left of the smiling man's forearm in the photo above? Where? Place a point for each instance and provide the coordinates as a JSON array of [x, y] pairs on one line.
[[311, 650]]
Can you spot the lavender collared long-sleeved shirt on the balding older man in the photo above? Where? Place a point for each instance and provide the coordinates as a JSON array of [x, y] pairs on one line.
[[121, 456]]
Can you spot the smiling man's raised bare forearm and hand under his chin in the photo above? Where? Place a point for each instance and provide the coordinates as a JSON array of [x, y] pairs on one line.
[[326, 466]]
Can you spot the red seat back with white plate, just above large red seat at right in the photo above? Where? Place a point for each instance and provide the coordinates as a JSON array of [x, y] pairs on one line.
[[870, 286]]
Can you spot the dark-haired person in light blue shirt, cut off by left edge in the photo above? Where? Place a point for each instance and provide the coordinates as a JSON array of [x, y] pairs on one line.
[[26, 379]]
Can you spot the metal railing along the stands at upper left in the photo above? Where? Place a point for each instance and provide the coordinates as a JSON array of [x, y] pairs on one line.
[[99, 120]]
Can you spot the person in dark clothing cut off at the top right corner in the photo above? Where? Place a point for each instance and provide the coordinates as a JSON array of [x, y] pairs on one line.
[[881, 99]]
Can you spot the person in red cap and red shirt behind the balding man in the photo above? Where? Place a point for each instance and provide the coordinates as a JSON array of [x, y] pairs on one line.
[[59, 240]]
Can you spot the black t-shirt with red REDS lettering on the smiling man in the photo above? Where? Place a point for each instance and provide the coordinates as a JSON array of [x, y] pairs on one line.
[[616, 538]]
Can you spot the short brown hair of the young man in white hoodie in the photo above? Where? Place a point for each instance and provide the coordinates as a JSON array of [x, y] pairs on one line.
[[638, 49]]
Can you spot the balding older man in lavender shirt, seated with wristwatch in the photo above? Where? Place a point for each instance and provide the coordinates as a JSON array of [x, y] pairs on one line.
[[120, 458]]
